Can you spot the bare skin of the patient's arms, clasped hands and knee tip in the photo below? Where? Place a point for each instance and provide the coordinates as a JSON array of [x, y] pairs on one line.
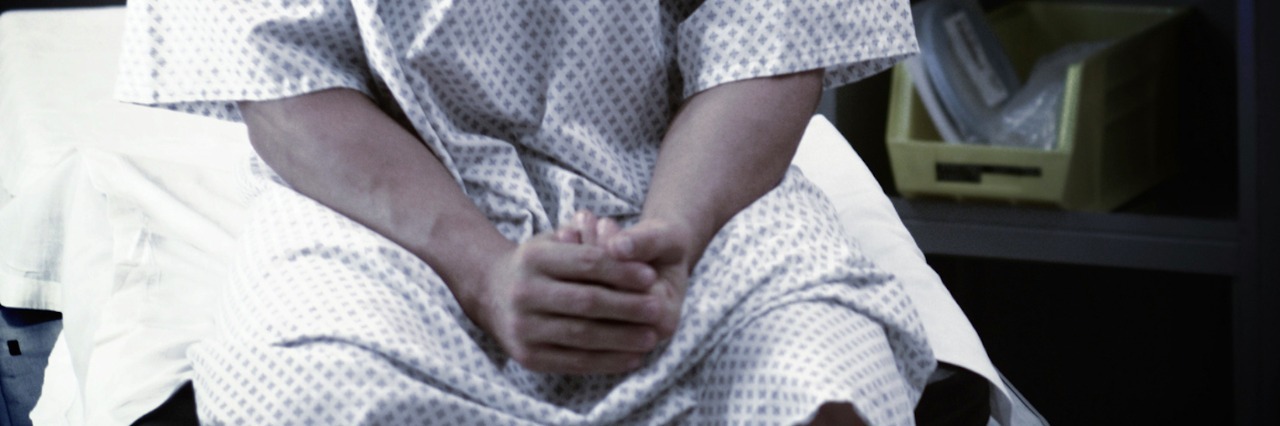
[[589, 299]]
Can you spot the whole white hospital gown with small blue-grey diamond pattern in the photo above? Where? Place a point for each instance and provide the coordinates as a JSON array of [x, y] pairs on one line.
[[538, 109]]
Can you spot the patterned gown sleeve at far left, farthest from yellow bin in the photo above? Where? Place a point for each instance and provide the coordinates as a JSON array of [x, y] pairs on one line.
[[203, 57]]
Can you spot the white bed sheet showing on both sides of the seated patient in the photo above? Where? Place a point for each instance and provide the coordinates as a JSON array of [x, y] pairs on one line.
[[136, 212]]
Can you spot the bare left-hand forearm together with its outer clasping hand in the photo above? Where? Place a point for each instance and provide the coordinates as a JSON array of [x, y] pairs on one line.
[[340, 149]]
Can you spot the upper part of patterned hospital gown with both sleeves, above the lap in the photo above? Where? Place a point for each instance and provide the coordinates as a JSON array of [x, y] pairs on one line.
[[497, 89]]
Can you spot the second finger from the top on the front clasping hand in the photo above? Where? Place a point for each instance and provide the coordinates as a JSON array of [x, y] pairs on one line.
[[592, 303]]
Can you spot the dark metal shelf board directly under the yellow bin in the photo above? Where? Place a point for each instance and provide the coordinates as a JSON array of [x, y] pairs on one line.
[[1169, 244]]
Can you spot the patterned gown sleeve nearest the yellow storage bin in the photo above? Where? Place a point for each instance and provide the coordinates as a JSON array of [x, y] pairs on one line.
[[732, 40]]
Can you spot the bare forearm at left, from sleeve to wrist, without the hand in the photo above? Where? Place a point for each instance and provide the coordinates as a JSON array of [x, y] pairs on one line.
[[341, 150]]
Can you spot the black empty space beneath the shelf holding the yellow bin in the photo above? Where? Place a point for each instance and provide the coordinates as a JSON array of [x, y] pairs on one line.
[[1103, 346]]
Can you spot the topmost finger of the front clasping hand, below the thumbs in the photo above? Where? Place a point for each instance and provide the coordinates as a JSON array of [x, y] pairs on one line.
[[587, 264]]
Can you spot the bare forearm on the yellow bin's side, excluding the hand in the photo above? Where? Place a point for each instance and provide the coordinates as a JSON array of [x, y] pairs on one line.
[[726, 148]]
